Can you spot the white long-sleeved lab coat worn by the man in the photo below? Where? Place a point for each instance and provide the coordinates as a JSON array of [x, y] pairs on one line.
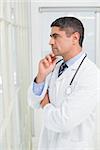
[[69, 119]]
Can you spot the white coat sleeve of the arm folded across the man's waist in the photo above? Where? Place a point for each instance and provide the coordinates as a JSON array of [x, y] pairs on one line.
[[76, 108]]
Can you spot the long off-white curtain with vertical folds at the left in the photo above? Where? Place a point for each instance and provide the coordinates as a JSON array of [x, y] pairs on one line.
[[15, 50]]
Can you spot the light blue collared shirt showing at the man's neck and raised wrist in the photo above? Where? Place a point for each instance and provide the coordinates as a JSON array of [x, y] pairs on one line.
[[38, 87]]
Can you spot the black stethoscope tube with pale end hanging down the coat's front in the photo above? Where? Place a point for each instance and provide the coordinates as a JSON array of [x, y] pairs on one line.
[[69, 88]]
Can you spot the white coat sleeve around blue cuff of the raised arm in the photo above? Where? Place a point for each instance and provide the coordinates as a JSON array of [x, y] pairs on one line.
[[33, 99]]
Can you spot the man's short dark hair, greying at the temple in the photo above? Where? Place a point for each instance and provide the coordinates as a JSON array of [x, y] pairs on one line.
[[70, 25]]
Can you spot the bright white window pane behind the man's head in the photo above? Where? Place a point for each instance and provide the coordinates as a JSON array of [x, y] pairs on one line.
[[89, 21]]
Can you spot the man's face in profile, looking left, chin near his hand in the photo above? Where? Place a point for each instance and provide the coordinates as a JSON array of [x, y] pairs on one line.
[[61, 44]]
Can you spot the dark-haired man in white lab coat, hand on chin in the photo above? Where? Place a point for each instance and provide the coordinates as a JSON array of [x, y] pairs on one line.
[[67, 90]]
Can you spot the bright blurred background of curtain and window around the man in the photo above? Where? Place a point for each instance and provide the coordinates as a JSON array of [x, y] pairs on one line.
[[24, 37]]
